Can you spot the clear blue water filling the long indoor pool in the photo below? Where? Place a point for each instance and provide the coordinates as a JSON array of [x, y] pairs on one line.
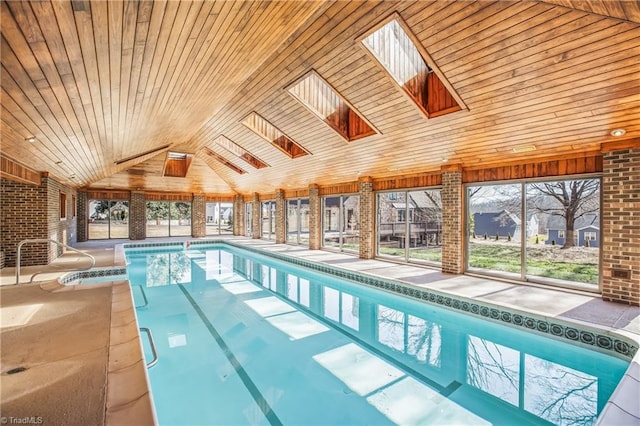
[[244, 339]]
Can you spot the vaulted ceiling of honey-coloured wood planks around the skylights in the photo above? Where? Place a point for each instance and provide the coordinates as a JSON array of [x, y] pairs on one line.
[[100, 82]]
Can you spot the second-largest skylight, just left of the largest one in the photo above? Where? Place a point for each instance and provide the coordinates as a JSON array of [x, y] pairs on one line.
[[319, 97]]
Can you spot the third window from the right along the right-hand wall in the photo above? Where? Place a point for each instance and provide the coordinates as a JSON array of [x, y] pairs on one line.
[[341, 222]]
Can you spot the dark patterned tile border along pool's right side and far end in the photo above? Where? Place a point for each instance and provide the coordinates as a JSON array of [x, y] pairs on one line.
[[619, 345]]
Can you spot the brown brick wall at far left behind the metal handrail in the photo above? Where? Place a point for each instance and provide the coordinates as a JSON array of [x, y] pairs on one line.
[[33, 211]]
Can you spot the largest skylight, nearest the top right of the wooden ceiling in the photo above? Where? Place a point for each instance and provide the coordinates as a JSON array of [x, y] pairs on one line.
[[393, 46]]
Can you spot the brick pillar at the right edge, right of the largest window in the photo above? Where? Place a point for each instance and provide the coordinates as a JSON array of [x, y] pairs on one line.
[[621, 226]]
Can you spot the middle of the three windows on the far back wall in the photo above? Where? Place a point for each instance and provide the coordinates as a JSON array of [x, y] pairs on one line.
[[168, 218]]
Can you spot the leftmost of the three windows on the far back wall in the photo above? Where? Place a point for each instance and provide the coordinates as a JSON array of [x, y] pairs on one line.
[[108, 219]]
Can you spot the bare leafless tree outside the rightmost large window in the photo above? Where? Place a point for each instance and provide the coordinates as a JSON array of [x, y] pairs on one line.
[[575, 199]]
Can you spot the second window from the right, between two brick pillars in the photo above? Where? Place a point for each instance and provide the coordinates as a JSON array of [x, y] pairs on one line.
[[409, 225]]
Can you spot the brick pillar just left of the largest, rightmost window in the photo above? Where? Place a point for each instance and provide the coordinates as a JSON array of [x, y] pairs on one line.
[[452, 224]]
